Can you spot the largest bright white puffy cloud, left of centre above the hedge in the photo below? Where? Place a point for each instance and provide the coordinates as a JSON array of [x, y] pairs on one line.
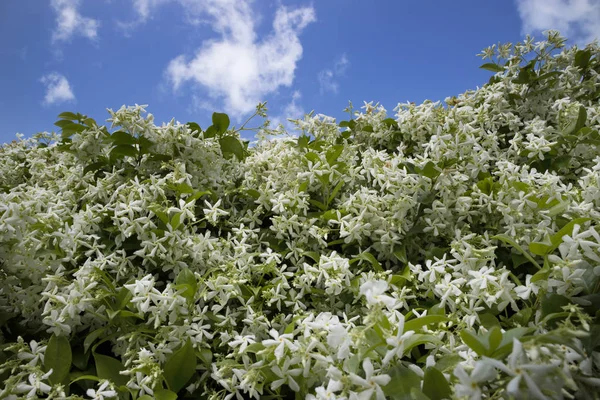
[[238, 67]]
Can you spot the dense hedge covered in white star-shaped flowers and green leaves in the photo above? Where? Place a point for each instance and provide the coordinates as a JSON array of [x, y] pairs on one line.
[[449, 251]]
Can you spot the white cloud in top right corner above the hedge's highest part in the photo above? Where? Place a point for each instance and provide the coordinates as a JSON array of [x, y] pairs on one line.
[[578, 20]]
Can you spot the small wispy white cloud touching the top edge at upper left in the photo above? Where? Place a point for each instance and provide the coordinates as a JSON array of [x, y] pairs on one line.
[[70, 22]]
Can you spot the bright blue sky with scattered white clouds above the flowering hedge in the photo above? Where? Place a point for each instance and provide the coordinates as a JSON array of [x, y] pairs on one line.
[[188, 58]]
